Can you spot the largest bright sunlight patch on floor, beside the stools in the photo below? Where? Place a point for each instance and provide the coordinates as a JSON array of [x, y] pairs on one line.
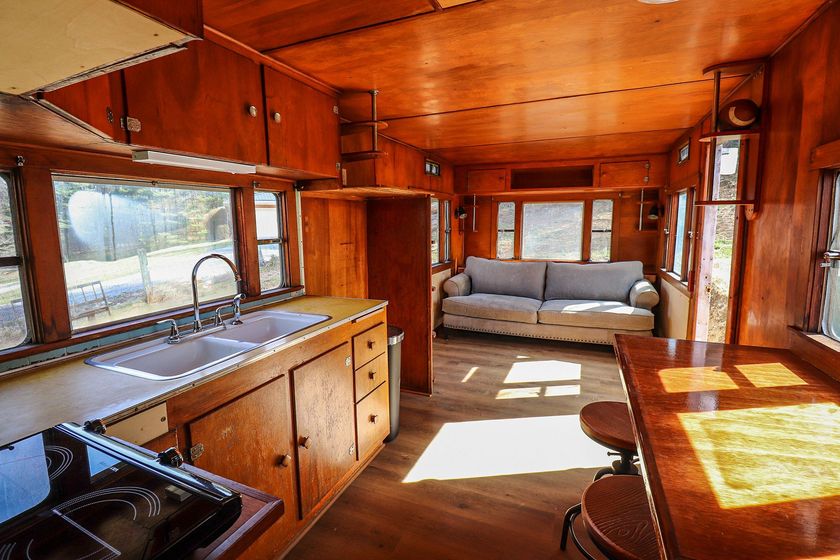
[[509, 446]]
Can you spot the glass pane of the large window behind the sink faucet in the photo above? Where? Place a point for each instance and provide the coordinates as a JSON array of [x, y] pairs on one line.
[[129, 247]]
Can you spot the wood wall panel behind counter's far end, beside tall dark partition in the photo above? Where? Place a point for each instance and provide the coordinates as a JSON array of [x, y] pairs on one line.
[[335, 247]]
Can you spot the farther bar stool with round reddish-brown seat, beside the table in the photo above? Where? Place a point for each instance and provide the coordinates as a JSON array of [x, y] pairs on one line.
[[608, 424]]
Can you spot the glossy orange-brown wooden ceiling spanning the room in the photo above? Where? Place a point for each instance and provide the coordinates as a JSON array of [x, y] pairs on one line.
[[533, 80]]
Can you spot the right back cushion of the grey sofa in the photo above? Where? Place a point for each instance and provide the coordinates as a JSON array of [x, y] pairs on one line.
[[605, 282]]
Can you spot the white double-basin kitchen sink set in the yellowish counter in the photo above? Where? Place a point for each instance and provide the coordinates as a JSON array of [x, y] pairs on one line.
[[158, 360]]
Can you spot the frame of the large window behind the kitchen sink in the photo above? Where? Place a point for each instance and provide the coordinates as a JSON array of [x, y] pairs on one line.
[[127, 323]]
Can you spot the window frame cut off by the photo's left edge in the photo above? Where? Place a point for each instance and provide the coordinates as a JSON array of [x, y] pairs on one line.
[[19, 260]]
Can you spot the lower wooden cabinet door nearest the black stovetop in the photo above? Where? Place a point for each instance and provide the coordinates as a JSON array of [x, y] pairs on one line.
[[250, 441]]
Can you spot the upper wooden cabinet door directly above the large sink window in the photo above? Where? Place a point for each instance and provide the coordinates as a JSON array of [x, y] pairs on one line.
[[204, 100]]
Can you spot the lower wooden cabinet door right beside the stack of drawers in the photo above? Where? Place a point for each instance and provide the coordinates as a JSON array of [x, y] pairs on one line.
[[325, 424]]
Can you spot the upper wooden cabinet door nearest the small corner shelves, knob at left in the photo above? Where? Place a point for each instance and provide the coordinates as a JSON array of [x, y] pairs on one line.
[[303, 126]]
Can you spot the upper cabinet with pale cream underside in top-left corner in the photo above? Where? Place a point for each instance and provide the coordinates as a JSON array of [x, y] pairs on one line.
[[50, 44]]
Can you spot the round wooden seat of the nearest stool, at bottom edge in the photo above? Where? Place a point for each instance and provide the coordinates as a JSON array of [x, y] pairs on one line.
[[617, 516]]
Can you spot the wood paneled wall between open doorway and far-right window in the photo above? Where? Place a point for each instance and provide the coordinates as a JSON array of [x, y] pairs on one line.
[[805, 113]]
